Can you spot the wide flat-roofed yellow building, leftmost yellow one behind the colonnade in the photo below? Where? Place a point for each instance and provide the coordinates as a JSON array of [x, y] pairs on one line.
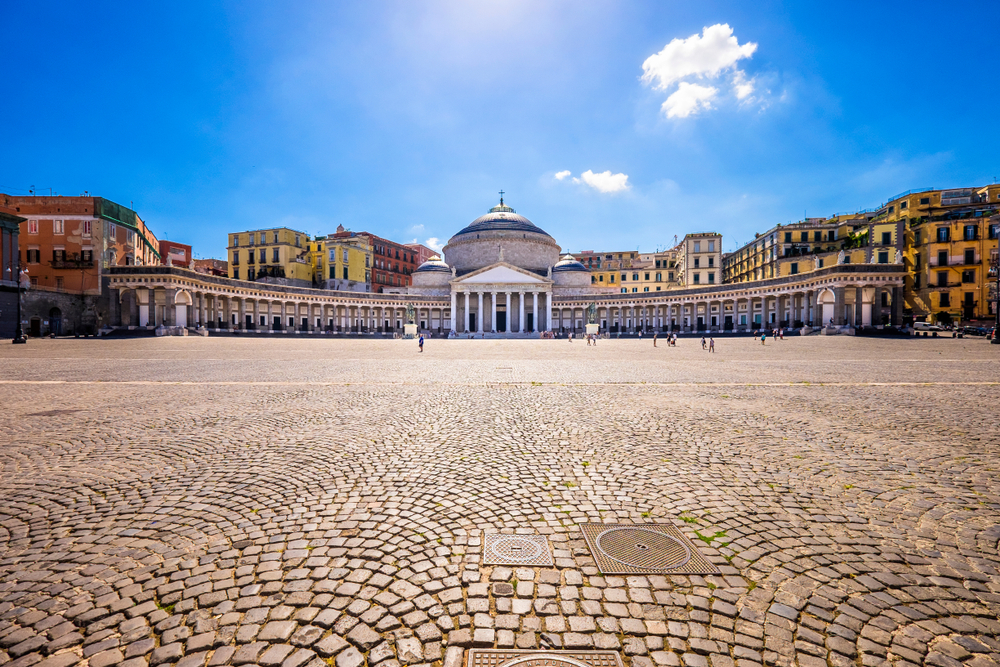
[[280, 253]]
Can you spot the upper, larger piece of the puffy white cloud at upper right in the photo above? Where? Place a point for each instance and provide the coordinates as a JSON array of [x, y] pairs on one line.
[[707, 55]]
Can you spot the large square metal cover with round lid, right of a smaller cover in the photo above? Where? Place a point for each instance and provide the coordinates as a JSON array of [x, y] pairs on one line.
[[643, 548]]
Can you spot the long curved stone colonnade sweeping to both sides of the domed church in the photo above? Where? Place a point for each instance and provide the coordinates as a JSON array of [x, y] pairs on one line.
[[841, 296]]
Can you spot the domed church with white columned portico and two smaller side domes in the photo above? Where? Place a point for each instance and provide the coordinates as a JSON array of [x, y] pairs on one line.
[[502, 274]]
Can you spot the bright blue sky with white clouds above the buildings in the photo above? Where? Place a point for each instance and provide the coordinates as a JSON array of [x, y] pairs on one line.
[[406, 118]]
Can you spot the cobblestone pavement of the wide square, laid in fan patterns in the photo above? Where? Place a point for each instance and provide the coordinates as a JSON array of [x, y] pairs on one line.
[[298, 503]]
